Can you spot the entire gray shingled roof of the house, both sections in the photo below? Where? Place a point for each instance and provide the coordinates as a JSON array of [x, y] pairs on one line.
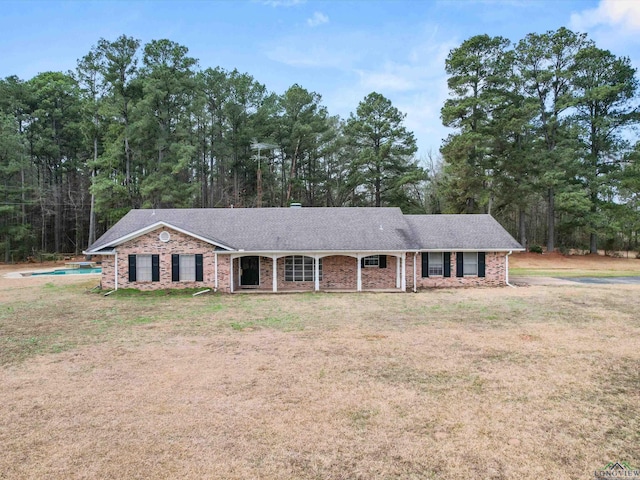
[[320, 229]]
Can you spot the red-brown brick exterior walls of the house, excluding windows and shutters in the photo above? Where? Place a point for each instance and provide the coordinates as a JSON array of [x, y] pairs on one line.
[[339, 272]]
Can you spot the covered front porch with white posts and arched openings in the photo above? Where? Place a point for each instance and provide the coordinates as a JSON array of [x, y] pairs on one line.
[[318, 272]]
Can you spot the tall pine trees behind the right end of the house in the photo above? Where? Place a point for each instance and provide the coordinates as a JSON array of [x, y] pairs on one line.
[[544, 139]]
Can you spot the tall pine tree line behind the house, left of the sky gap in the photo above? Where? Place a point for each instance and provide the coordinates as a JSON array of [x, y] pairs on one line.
[[144, 126]]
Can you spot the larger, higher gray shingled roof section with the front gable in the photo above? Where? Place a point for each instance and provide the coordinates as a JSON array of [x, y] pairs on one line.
[[278, 229]]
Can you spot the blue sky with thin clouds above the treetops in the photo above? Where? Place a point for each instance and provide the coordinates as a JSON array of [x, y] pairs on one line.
[[342, 50]]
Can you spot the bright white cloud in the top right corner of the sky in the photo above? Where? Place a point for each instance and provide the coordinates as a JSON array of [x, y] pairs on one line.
[[611, 13]]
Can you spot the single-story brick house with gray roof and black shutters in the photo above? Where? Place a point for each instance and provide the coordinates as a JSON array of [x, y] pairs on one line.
[[302, 249]]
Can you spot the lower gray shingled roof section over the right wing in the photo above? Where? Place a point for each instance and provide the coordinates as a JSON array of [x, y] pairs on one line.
[[462, 232]]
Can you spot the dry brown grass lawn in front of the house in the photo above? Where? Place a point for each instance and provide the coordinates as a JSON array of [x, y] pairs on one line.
[[537, 382]]
